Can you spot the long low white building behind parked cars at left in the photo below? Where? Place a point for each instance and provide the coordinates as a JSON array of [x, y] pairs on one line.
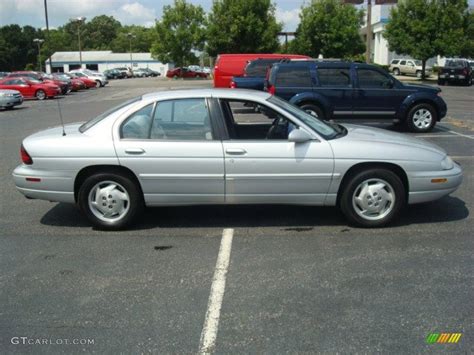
[[103, 60]]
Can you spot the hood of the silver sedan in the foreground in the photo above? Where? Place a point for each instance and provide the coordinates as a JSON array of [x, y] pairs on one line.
[[380, 136]]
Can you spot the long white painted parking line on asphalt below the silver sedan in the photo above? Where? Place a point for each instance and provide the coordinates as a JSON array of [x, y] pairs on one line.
[[211, 322]]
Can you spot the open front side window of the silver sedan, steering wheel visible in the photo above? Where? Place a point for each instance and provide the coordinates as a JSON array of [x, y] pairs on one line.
[[253, 121]]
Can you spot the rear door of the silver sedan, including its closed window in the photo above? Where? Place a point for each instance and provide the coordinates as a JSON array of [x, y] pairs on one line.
[[171, 147]]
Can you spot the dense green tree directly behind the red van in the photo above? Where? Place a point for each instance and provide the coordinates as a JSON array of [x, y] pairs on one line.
[[244, 26]]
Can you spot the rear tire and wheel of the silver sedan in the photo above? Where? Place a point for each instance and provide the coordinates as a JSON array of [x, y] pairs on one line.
[[125, 200]]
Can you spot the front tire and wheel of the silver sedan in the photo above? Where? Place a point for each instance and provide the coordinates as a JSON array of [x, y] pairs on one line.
[[373, 198]]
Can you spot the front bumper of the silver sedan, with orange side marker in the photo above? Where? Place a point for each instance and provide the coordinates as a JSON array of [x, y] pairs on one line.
[[422, 189]]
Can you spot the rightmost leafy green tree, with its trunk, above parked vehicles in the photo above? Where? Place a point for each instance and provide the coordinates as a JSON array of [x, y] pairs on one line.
[[423, 29]]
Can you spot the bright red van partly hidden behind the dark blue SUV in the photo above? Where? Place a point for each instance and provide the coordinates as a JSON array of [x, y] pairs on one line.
[[230, 65]]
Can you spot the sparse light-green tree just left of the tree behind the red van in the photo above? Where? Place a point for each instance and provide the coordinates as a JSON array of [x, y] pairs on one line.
[[179, 33]]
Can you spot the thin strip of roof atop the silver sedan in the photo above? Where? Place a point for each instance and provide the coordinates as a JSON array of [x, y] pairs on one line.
[[241, 94]]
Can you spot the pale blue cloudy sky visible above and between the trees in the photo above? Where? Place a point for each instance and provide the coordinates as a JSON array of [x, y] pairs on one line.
[[128, 12]]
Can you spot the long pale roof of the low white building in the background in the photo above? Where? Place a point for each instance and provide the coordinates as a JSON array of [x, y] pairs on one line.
[[100, 57]]
